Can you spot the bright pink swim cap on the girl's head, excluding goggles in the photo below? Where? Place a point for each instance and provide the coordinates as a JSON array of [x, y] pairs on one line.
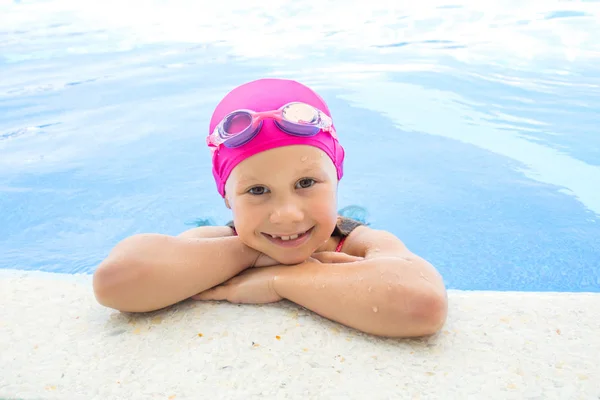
[[266, 95]]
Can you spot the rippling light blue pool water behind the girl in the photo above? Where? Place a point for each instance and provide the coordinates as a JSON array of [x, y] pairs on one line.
[[471, 128]]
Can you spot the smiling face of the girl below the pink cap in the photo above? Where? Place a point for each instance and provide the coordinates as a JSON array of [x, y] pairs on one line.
[[284, 201]]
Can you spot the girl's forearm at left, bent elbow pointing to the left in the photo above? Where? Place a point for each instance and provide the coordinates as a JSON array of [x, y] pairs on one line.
[[150, 271]]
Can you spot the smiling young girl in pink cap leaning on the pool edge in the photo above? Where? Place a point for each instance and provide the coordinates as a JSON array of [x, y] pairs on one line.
[[277, 162]]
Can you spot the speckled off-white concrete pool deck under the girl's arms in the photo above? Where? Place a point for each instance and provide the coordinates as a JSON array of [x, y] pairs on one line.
[[58, 343]]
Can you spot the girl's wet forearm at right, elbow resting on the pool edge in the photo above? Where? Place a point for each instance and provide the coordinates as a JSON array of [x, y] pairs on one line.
[[383, 296]]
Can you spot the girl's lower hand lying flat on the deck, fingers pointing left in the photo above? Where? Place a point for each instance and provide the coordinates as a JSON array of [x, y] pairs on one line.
[[252, 286]]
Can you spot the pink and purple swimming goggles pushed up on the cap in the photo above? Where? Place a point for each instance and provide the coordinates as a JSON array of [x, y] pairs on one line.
[[296, 119]]
